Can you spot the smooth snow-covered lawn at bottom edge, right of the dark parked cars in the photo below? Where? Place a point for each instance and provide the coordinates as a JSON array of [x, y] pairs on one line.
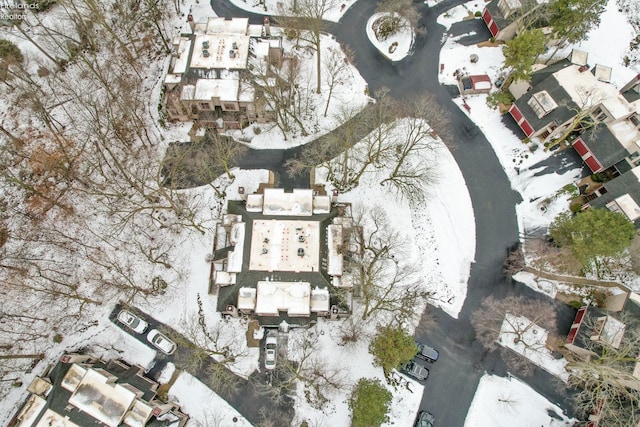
[[508, 402]]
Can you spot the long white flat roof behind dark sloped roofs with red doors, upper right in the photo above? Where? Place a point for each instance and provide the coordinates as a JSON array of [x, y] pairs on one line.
[[587, 91]]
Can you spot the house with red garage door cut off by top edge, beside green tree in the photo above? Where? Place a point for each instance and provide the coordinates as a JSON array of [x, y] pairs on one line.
[[505, 18]]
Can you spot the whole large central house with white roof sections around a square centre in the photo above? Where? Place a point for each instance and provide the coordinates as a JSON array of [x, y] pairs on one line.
[[278, 256]]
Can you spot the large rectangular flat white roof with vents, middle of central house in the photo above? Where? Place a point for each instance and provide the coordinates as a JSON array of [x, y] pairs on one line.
[[285, 246]]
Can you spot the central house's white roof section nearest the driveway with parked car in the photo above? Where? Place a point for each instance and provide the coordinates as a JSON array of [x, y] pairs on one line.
[[292, 297]]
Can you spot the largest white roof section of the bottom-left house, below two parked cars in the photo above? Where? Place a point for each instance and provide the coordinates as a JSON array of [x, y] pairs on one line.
[[101, 400]]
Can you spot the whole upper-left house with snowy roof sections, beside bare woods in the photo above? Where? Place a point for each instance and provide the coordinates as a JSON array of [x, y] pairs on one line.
[[209, 75]]
